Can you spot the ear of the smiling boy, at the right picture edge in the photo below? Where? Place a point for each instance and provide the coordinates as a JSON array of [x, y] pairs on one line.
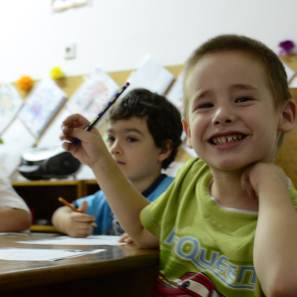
[[288, 116]]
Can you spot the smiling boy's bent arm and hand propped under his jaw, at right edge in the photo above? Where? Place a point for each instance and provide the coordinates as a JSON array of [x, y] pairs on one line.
[[275, 243]]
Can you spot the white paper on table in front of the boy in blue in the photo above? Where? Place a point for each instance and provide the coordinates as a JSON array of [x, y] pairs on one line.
[[90, 240]]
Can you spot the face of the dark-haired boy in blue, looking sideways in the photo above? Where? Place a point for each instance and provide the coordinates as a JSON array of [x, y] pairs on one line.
[[133, 148]]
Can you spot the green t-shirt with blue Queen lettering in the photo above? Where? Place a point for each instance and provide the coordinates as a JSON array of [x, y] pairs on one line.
[[198, 235]]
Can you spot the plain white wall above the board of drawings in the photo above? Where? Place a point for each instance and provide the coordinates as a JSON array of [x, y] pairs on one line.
[[118, 34]]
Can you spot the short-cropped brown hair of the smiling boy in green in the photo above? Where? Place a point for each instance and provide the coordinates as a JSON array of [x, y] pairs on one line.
[[274, 69]]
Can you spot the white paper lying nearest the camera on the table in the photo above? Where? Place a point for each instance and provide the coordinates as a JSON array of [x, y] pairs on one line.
[[21, 254]]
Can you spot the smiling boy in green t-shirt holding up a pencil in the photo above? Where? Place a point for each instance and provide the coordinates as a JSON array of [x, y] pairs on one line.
[[225, 226]]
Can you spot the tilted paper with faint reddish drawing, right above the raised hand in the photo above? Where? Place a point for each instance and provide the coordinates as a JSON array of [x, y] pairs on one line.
[[92, 95]]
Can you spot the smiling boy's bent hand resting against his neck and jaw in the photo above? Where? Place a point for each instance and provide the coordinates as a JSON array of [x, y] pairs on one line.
[[260, 174]]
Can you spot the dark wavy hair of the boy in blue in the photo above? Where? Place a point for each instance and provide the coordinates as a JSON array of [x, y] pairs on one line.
[[162, 117]]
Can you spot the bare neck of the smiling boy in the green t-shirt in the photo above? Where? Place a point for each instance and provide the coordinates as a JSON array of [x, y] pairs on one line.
[[227, 190]]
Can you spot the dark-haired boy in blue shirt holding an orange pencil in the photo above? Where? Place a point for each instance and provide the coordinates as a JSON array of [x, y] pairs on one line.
[[143, 136]]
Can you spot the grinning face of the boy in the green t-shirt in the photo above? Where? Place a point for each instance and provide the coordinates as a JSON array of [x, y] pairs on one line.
[[232, 121]]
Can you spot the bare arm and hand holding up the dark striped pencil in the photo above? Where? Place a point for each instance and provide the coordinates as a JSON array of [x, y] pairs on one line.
[[125, 201]]
